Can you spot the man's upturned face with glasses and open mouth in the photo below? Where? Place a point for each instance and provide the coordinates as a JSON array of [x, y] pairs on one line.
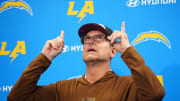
[[96, 47]]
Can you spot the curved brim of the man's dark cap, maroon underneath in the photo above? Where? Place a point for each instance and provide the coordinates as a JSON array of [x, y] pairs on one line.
[[89, 27]]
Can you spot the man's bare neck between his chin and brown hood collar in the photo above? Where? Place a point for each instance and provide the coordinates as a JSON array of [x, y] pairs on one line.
[[94, 70]]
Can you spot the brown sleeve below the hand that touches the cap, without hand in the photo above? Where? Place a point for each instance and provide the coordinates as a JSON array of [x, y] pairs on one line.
[[145, 86]]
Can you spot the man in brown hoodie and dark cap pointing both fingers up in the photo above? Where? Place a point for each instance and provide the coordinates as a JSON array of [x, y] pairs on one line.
[[99, 83]]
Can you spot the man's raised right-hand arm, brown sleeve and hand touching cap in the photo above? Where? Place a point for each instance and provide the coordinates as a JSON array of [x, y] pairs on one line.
[[145, 84]]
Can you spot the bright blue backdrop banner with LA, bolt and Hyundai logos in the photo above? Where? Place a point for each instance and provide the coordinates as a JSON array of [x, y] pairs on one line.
[[25, 26]]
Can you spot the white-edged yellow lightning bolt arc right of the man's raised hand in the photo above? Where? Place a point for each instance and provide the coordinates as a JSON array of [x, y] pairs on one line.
[[151, 35]]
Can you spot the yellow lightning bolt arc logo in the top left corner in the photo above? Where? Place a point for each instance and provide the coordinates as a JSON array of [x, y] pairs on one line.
[[20, 4]]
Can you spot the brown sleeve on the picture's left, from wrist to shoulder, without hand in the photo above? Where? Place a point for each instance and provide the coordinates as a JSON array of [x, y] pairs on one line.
[[26, 88]]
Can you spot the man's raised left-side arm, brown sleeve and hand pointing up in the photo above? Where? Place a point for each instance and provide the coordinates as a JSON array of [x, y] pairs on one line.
[[26, 88]]
